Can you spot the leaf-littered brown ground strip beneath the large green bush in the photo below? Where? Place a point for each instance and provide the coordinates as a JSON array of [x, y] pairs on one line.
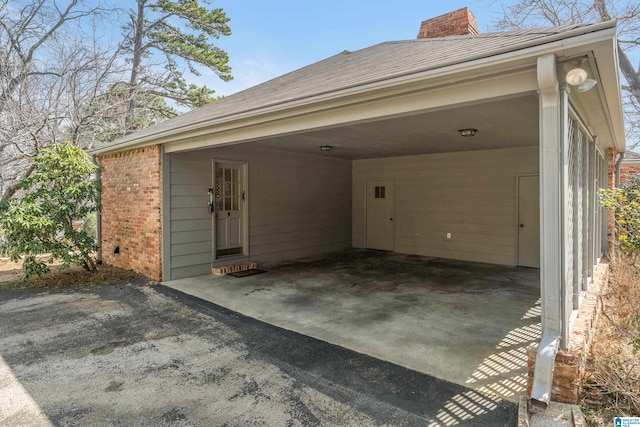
[[72, 278]]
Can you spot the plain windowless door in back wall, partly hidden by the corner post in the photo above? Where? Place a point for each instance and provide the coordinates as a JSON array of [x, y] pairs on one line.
[[529, 221]]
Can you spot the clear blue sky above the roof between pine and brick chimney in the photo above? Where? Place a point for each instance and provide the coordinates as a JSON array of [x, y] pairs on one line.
[[270, 38]]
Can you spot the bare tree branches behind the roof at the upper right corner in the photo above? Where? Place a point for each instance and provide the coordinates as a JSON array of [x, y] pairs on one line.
[[531, 13]]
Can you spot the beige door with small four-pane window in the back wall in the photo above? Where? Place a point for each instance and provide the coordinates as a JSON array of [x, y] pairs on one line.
[[380, 205]]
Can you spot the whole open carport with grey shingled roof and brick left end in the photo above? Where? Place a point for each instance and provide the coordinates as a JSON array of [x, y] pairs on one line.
[[472, 148]]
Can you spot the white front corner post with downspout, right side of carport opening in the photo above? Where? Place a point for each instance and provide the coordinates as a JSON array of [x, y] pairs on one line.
[[553, 173]]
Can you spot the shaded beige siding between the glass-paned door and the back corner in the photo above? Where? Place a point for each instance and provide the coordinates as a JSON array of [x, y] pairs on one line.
[[299, 205]]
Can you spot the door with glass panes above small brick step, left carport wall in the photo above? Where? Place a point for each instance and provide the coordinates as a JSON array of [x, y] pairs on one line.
[[229, 200]]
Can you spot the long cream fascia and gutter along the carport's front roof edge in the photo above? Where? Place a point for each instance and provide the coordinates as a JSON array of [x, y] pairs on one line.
[[568, 43]]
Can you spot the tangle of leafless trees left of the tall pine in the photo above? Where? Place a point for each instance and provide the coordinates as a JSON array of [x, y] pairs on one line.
[[45, 73]]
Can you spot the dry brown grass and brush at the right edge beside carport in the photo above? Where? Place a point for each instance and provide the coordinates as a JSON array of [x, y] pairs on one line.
[[612, 385]]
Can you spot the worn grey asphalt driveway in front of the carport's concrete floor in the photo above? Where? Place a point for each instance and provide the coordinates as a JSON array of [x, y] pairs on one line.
[[147, 355]]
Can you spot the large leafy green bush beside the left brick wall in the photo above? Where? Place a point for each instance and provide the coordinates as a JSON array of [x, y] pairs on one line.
[[60, 190]]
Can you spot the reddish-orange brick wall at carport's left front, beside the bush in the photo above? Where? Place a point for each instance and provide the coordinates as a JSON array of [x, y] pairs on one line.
[[130, 216]]
